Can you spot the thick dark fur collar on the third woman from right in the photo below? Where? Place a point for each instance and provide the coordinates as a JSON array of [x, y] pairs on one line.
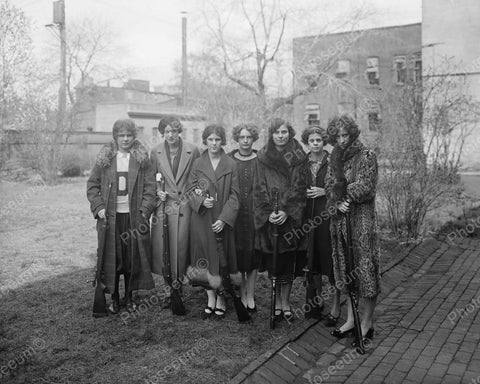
[[291, 156]]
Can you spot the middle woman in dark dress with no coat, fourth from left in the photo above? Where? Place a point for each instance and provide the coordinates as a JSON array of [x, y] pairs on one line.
[[247, 167]]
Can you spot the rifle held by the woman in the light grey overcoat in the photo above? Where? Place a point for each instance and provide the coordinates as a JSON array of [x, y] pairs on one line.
[[177, 306]]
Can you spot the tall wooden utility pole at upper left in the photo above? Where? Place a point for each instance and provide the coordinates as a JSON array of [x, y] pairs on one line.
[[59, 19]]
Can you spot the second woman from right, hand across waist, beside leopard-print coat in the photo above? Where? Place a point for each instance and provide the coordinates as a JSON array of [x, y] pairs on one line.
[[319, 246]]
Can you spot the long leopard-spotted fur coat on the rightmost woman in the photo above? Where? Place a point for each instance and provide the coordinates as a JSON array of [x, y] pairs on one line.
[[361, 173]]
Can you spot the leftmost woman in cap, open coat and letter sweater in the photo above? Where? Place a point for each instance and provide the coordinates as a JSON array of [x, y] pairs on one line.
[[123, 173]]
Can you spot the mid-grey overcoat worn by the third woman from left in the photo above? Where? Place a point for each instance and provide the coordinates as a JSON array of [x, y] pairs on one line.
[[222, 184]]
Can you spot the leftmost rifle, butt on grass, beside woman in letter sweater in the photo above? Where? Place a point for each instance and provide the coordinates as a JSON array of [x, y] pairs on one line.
[[99, 301]]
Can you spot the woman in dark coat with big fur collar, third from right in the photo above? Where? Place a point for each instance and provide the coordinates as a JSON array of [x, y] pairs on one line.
[[280, 170]]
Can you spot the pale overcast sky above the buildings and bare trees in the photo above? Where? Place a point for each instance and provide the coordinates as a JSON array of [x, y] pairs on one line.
[[150, 30]]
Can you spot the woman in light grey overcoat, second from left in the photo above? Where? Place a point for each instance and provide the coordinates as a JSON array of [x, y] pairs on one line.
[[173, 159]]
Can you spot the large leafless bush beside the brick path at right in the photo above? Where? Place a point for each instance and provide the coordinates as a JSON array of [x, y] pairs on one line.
[[423, 133]]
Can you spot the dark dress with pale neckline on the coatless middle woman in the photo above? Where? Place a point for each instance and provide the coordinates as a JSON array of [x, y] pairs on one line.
[[244, 229]]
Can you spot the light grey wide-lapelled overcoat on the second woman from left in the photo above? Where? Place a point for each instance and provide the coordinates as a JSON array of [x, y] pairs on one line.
[[177, 210]]
